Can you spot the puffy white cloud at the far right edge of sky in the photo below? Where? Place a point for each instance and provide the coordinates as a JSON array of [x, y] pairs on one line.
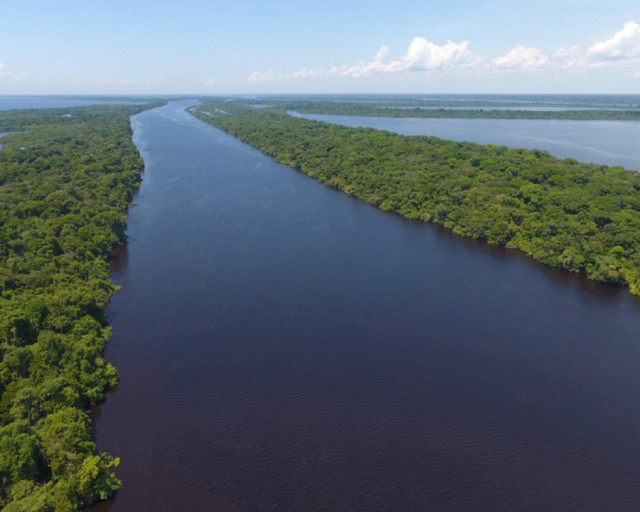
[[622, 49]]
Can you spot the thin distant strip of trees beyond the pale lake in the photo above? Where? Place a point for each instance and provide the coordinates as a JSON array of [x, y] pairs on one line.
[[365, 109]]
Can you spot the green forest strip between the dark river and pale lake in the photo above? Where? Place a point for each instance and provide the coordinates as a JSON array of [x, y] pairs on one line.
[[580, 217]]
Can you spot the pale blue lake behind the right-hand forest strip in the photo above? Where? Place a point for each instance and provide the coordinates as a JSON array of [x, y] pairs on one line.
[[602, 142]]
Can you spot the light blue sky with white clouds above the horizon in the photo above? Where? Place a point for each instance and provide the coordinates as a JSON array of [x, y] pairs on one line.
[[321, 46]]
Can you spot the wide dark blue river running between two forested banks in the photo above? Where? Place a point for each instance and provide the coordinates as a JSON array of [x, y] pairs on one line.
[[283, 347]]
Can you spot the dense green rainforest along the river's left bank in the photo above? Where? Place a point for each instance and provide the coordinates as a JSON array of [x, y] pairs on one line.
[[66, 179]]
